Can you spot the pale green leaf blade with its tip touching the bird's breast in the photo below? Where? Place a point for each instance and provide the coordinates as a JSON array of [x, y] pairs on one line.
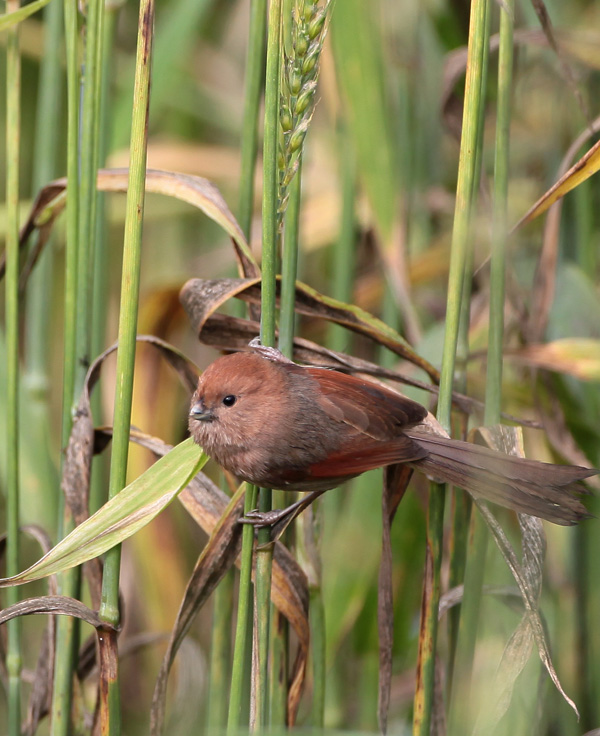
[[125, 514]]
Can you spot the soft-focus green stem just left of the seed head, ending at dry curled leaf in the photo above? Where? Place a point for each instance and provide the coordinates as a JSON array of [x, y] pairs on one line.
[[254, 84]]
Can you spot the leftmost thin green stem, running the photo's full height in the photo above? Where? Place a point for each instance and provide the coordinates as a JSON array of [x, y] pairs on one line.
[[13, 124]]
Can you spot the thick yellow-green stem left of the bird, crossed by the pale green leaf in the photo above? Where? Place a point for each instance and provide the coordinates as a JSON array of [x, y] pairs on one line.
[[130, 284]]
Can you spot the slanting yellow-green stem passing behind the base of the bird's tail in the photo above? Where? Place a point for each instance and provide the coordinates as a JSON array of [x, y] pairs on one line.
[[458, 259]]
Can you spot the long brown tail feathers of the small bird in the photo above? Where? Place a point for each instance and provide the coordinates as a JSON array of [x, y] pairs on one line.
[[541, 489]]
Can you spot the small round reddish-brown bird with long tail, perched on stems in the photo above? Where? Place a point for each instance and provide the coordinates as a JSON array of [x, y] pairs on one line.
[[279, 425]]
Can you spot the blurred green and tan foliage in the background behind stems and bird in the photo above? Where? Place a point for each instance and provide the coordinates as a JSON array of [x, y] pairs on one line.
[[384, 129]]
